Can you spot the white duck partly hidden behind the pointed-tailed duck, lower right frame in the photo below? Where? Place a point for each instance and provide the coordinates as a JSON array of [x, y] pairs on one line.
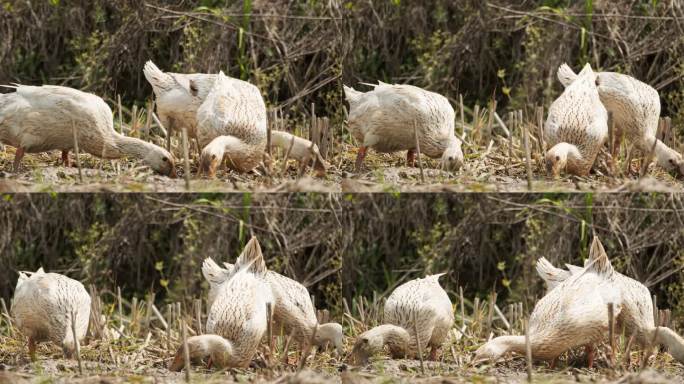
[[637, 308]]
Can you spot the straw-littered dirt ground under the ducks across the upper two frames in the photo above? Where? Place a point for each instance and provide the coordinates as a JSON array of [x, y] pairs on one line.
[[381, 173]]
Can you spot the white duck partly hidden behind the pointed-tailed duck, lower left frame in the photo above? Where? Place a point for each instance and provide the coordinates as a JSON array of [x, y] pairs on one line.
[[293, 308]]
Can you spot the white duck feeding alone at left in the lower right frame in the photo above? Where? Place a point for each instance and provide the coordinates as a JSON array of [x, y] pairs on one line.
[[420, 304]]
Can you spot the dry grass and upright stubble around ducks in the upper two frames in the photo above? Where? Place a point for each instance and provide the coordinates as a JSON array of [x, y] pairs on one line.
[[489, 168]]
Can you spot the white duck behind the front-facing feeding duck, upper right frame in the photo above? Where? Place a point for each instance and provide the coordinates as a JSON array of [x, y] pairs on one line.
[[636, 109]]
